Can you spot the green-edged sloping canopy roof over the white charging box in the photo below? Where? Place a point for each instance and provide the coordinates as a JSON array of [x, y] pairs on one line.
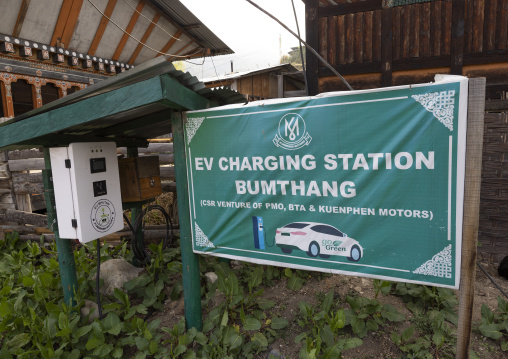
[[128, 109]]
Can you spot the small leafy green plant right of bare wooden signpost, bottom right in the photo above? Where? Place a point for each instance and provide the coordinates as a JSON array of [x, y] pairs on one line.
[[494, 325]]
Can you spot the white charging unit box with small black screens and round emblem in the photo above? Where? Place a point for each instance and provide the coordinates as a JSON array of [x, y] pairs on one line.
[[87, 190]]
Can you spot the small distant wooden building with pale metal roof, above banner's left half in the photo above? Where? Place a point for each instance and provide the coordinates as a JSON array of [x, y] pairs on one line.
[[270, 82]]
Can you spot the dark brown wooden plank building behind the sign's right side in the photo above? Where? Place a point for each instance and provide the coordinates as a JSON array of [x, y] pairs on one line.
[[377, 43]]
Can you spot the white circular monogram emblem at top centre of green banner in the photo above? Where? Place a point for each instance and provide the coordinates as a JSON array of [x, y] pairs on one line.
[[292, 132]]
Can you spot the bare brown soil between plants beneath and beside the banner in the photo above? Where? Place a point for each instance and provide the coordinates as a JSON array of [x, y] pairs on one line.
[[375, 344]]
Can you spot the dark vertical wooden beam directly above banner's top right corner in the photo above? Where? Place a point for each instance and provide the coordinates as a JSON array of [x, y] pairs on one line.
[[458, 39]]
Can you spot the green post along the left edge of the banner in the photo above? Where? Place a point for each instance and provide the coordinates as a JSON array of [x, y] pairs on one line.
[[190, 260]]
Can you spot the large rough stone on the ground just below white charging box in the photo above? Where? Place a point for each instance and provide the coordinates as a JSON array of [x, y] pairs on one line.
[[114, 273]]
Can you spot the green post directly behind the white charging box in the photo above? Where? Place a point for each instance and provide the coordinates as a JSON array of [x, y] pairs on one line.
[[63, 245]]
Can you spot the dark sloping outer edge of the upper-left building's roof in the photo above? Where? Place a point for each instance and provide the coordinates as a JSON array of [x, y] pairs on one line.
[[188, 20]]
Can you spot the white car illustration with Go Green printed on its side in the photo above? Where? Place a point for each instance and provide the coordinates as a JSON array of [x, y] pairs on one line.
[[317, 239]]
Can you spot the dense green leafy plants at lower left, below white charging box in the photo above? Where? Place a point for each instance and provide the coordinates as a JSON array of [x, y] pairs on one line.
[[35, 322]]
